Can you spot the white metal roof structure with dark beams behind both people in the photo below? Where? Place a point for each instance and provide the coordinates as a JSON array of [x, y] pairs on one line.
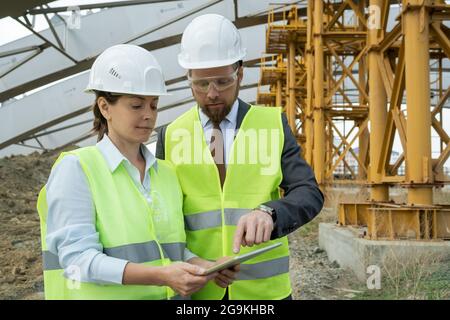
[[61, 55]]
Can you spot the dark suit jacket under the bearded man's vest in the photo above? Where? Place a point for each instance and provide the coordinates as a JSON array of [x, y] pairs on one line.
[[302, 199]]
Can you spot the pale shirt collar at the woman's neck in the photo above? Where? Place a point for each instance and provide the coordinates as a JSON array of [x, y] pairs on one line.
[[114, 157]]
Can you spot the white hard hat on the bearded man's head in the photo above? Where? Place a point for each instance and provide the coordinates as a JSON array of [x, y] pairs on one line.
[[210, 41]]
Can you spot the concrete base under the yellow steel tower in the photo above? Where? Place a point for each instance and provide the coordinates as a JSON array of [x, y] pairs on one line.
[[345, 246]]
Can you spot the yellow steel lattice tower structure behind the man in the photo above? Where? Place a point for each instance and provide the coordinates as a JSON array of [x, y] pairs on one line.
[[342, 64]]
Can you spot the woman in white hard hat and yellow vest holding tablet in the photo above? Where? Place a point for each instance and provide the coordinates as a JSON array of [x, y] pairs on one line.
[[111, 214]]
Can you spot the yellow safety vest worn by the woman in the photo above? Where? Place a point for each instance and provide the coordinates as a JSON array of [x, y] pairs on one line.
[[128, 228]]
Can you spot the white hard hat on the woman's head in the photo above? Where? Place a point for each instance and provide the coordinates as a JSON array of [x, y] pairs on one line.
[[127, 69]]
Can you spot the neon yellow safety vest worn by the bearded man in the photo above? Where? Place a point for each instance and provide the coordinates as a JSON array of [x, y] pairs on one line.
[[211, 214]]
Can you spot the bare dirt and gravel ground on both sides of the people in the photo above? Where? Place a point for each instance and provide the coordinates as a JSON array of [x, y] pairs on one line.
[[313, 276]]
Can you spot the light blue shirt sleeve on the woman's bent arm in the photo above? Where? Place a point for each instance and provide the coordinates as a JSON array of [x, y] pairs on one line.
[[71, 231]]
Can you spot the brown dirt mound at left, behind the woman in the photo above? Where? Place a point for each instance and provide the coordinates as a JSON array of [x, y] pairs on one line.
[[21, 178]]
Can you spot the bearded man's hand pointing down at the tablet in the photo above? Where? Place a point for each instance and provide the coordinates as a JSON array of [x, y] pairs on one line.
[[253, 228]]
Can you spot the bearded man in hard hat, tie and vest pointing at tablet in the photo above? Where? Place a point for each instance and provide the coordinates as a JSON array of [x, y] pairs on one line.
[[231, 160]]
